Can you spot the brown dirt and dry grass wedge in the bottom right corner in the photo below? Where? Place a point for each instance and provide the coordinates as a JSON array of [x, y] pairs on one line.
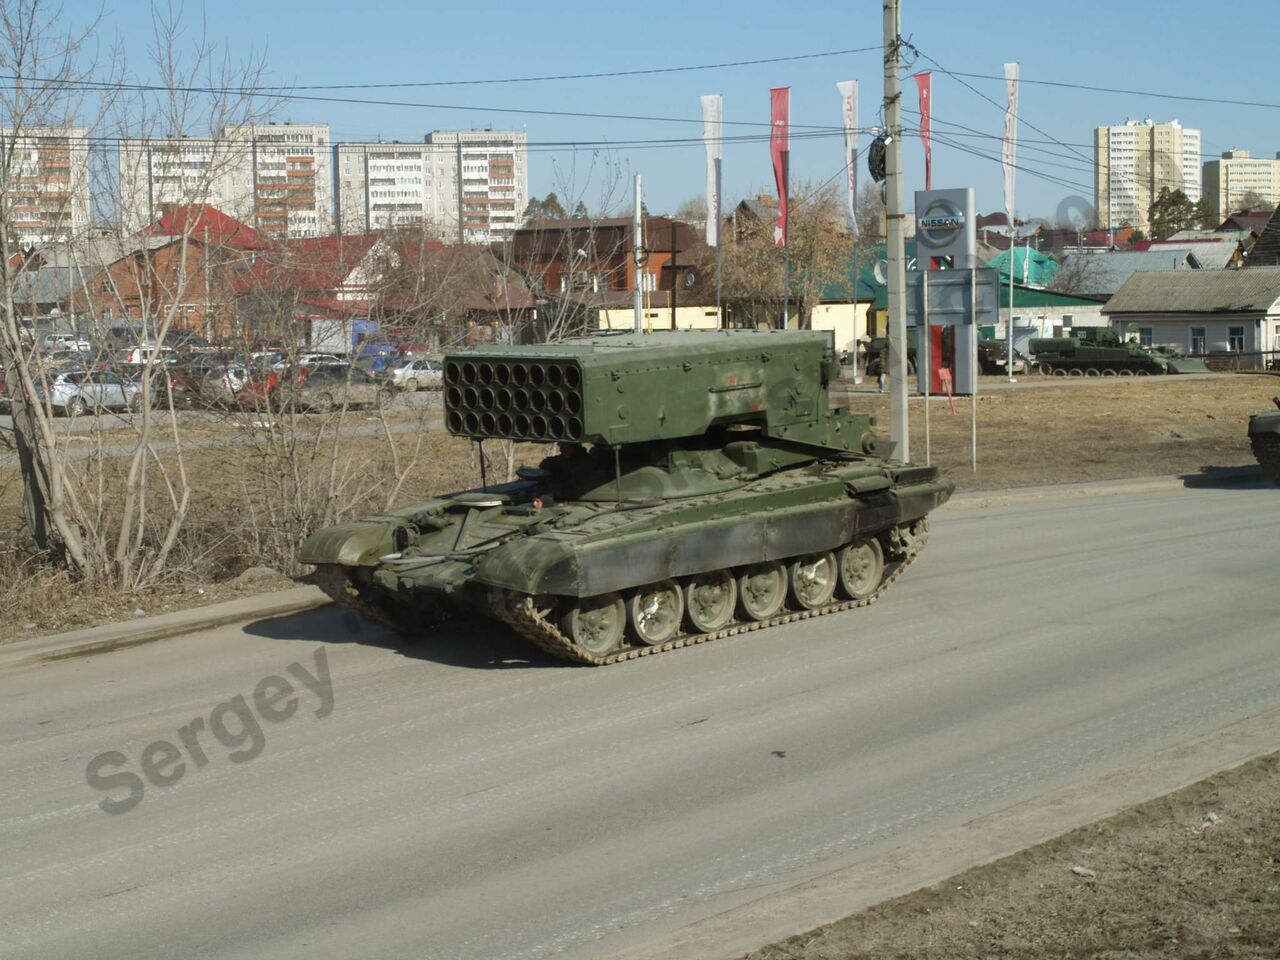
[[1192, 875]]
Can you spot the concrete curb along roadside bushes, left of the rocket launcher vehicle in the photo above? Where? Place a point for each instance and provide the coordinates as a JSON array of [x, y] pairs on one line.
[[117, 637]]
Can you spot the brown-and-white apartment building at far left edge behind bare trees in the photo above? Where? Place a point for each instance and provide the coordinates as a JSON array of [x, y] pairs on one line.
[[44, 184]]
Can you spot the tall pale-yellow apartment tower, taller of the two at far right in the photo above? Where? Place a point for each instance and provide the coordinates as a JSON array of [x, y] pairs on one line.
[[1135, 161]]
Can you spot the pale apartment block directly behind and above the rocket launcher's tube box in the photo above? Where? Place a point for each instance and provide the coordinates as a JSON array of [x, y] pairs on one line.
[[469, 186]]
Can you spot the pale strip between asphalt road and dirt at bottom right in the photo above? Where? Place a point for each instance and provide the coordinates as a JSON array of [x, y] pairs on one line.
[[854, 889]]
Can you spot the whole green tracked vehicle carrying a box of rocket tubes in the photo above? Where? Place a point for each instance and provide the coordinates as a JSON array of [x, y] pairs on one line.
[[700, 486]]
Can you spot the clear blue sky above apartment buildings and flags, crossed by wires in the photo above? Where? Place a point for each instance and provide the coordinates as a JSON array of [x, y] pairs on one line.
[[1174, 48]]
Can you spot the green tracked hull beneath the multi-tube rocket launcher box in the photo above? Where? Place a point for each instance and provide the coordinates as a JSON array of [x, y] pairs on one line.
[[541, 568]]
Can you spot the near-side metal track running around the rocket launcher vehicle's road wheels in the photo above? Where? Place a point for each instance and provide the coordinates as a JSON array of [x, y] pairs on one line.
[[520, 612]]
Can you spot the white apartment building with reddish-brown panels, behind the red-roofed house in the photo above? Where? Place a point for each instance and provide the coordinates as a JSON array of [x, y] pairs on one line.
[[275, 177]]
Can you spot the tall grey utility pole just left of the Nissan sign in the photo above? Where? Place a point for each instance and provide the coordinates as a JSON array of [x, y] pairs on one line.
[[898, 387]]
